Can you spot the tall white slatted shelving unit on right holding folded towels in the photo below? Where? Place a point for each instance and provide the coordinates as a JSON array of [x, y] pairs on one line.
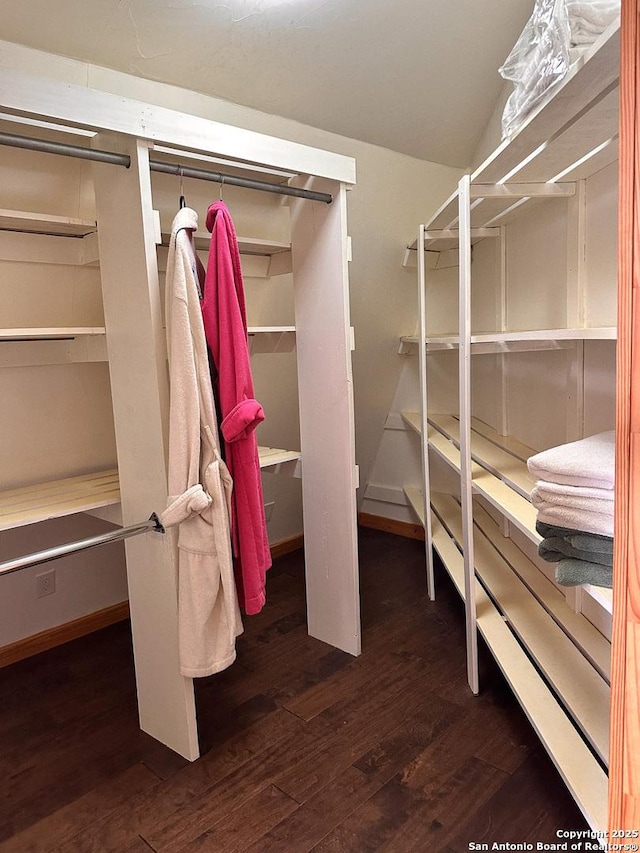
[[555, 659]]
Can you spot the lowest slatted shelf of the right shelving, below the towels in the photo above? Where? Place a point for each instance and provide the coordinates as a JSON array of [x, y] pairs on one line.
[[563, 695]]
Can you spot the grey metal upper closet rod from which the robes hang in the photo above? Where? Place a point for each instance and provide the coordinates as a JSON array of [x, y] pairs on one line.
[[49, 147]]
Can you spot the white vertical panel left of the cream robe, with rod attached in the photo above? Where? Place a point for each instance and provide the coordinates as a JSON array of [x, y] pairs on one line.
[[140, 393]]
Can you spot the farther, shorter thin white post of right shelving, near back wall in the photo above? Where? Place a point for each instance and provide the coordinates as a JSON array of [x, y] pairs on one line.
[[424, 411]]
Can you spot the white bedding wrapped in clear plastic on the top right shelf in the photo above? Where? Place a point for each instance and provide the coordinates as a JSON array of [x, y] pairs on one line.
[[556, 35]]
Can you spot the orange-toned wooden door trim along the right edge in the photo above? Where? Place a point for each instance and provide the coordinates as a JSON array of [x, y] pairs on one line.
[[624, 772]]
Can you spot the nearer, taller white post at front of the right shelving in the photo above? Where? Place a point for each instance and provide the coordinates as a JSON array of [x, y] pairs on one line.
[[464, 356]]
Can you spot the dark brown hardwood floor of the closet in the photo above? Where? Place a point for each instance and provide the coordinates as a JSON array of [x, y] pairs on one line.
[[304, 747]]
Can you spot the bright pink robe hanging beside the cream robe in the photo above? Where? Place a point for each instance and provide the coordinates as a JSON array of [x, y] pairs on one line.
[[225, 323]]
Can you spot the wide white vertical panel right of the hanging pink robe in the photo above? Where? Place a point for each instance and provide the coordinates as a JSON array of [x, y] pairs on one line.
[[329, 477]]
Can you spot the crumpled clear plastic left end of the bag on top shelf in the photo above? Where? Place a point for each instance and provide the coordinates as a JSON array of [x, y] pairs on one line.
[[539, 59]]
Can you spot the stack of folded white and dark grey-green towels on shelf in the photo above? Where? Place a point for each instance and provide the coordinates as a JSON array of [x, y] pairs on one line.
[[574, 499]]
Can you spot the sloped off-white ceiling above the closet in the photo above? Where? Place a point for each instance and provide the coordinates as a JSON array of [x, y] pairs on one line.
[[417, 77]]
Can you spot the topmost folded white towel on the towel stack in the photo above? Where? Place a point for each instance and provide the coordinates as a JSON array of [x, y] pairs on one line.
[[589, 462]]
